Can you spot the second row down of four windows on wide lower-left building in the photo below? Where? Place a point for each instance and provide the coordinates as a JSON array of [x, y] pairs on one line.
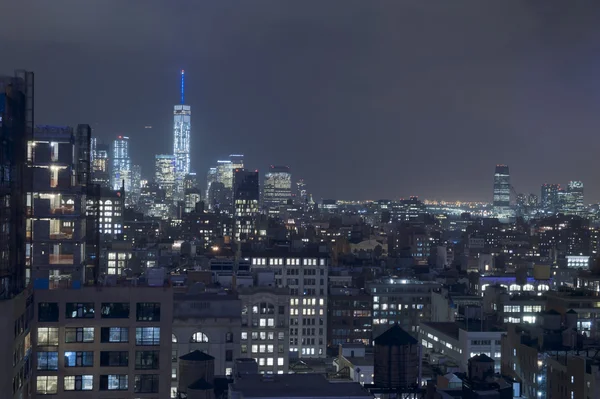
[[48, 336]]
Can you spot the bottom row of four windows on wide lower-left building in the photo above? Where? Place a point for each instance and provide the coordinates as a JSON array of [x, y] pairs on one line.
[[143, 383]]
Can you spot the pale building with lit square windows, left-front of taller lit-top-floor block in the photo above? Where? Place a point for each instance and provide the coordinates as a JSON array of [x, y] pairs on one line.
[[265, 327]]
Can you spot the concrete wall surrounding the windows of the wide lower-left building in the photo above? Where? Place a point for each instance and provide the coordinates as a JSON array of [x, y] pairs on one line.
[[54, 340]]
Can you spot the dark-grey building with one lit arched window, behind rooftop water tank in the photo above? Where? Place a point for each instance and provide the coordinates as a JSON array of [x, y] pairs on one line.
[[208, 322]]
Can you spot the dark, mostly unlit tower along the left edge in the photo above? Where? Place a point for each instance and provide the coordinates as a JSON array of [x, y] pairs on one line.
[[16, 297]]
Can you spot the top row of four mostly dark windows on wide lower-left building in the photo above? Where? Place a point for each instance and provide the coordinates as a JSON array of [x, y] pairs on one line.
[[145, 311]]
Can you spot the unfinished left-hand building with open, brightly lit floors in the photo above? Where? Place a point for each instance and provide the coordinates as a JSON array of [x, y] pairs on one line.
[[59, 166]]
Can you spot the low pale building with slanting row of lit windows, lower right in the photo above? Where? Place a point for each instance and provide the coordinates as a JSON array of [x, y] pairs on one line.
[[460, 341]]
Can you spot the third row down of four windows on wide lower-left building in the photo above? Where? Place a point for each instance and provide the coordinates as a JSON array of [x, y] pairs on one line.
[[144, 360]]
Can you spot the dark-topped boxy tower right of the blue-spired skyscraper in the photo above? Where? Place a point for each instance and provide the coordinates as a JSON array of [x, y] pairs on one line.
[[245, 199]]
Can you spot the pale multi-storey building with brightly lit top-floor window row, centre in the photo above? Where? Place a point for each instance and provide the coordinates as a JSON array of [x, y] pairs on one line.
[[305, 274]]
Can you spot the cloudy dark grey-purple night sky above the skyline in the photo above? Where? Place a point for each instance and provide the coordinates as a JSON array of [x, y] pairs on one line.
[[364, 99]]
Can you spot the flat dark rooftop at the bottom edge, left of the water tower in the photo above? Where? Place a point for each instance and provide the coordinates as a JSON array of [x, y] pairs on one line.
[[296, 386]]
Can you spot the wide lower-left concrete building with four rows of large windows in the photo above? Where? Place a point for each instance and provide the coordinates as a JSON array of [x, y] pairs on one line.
[[104, 341]]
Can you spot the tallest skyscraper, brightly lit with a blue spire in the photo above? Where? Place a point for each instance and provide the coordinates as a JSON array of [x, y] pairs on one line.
[[181, 138]]
